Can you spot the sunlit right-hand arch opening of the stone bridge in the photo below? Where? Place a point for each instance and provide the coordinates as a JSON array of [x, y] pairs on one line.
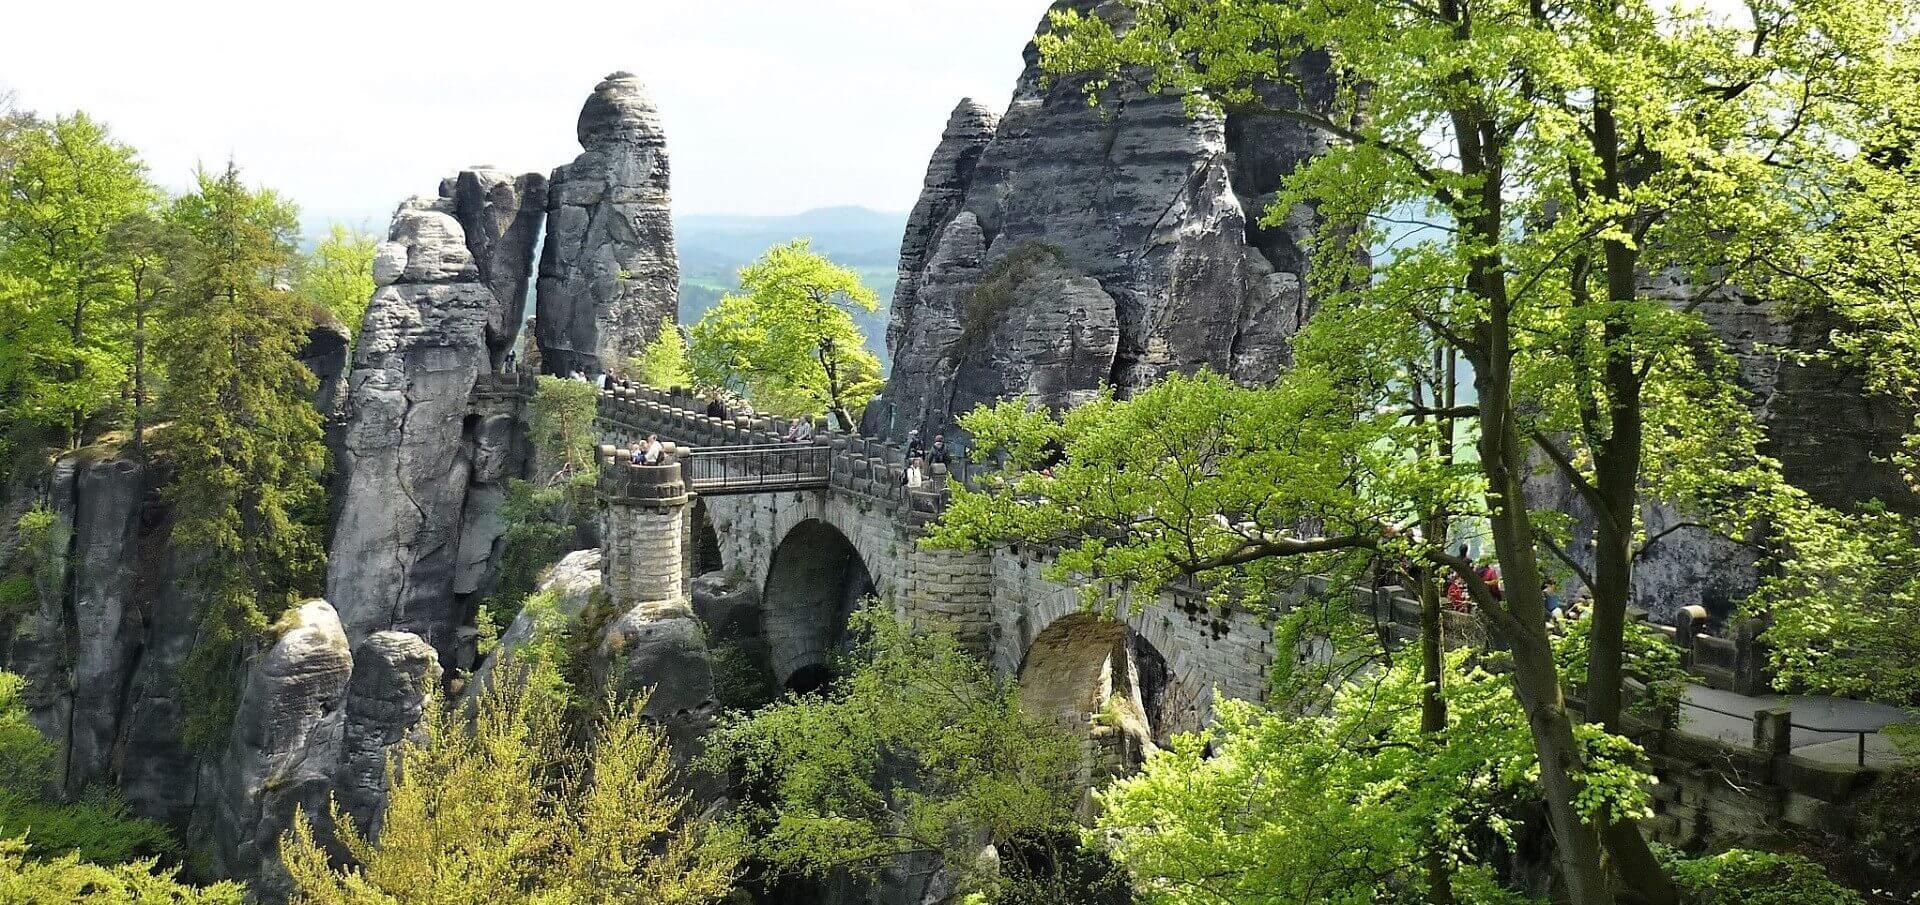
[[1105, 685]]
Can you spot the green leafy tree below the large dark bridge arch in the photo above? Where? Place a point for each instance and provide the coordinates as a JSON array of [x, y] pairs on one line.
[[915, 752]]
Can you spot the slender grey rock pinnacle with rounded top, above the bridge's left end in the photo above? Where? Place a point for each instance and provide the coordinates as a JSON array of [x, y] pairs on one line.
[[610, 272]]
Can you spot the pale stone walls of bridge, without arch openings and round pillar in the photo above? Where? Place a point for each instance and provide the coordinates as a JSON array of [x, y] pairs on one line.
[[994, 602]]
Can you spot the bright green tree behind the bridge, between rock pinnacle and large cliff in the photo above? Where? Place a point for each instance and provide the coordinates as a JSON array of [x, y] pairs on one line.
[[788, 339]]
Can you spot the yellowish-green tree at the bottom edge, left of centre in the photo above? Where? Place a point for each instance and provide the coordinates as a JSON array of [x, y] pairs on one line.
[[512, 808]]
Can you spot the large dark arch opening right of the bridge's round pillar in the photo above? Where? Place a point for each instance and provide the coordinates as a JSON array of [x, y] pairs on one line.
[[811, 591]]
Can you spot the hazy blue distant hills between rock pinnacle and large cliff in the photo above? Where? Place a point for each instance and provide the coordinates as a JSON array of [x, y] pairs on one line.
[[715, 247]]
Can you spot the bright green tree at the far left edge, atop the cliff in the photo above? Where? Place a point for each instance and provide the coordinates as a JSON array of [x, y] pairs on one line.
[[62, 285]]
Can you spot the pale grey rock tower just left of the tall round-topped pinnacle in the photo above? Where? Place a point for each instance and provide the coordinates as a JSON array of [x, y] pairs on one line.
[[425, 458]]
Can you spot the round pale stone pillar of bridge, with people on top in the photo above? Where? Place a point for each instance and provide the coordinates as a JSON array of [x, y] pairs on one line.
[[646, 520]]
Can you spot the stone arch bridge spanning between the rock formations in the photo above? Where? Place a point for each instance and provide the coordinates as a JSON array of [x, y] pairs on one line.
[[830, 524]]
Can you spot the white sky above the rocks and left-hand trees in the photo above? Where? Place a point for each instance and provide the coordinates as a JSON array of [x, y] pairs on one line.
[[354, 105]]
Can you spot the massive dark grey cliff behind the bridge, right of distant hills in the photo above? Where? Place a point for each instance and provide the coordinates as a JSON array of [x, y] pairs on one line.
[[1061, 249]]
